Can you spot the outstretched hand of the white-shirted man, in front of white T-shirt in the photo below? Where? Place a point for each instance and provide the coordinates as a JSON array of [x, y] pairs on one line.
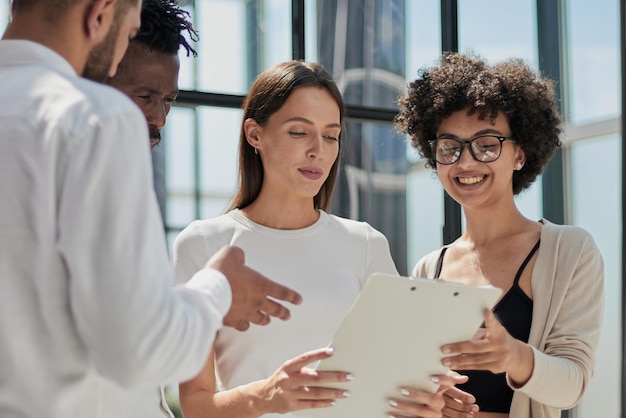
[[251, 291]]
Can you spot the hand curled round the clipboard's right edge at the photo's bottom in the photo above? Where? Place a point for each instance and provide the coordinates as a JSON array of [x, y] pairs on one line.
[[420, 404]]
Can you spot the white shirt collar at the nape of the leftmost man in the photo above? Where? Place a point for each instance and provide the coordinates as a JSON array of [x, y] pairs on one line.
[[22, 52]]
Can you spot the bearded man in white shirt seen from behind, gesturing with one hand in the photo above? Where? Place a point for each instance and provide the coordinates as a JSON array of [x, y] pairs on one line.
[[86, 296]]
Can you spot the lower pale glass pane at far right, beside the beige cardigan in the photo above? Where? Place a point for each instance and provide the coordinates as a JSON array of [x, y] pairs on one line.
[[596, 206]]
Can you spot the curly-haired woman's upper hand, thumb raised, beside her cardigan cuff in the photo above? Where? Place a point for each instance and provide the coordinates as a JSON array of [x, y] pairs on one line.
[[492, 349]]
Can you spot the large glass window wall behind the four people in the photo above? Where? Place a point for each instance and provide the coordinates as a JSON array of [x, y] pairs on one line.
[[373, 48]]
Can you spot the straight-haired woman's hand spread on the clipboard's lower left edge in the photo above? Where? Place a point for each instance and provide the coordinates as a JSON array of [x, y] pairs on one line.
[[294, 386]]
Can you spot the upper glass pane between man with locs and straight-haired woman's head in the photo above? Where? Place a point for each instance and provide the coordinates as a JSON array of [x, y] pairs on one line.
[[238, 40]]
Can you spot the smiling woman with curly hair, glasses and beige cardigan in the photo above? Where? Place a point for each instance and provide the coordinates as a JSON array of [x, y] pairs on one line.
[[489, 131]]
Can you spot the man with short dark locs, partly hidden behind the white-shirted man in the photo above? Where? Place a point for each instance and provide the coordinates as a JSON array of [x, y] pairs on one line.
[[148, 73]]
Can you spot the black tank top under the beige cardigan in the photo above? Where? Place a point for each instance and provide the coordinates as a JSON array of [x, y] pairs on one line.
[[515, 313]]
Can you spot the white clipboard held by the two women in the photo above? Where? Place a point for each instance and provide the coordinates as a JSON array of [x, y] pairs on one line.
[[392, 337]]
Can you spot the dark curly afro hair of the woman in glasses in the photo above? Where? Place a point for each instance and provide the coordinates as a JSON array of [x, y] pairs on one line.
[[468, 82]]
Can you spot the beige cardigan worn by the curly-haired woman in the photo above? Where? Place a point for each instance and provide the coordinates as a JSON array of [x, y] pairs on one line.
[[568, 302]]
